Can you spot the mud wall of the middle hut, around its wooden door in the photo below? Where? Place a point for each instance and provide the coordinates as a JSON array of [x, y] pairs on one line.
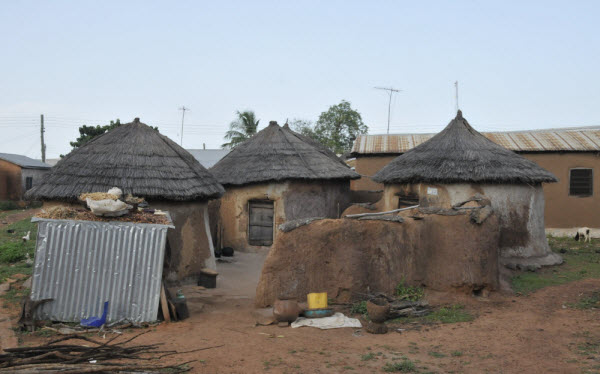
[[291, 200]]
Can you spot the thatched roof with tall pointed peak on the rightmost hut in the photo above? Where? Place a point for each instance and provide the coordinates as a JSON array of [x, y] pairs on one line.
[[460, 154]]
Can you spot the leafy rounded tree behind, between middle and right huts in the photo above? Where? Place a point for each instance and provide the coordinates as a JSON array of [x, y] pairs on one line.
[[338, 127]]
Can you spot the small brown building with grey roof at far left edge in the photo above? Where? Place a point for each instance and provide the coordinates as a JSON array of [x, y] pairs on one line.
[[19, 174]]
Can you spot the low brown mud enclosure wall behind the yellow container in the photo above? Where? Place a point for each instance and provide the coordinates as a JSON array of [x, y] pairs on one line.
[[346, 257]]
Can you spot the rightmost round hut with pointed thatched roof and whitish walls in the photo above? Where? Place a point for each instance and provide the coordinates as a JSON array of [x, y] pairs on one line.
[[460, 163]]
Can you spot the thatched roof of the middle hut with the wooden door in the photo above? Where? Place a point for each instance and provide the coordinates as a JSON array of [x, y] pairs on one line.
[[278, 153]]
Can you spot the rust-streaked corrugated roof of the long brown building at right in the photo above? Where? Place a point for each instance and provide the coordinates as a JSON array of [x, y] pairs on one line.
[[552, 140]]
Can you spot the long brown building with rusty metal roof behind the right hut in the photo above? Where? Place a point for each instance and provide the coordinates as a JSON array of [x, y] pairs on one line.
[[571, 154]]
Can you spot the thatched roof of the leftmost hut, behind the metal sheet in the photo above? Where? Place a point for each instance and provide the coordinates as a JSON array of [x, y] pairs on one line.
[[135, 158]]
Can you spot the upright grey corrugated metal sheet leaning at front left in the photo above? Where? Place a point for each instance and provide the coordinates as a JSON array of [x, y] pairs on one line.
[[81, 264]]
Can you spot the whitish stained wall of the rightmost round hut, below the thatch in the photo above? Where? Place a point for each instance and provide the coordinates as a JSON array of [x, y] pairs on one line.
[[520, 211]]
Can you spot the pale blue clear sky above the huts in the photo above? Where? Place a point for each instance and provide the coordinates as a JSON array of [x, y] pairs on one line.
[[520, 65]]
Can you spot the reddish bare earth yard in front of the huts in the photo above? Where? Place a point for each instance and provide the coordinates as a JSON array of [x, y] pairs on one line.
[[552, 325]]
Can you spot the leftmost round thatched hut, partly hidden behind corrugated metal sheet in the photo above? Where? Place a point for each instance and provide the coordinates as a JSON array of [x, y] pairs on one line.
[[140, 161]]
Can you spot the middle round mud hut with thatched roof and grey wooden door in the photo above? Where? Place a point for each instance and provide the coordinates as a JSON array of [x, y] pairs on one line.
[[274, 177]]
